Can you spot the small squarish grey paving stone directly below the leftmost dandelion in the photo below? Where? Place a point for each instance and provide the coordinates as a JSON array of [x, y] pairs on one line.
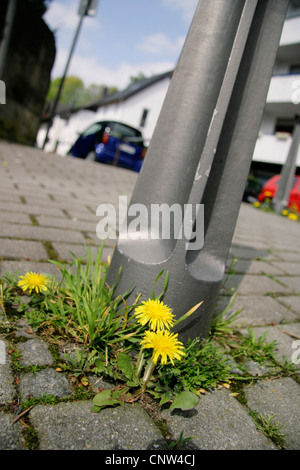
[[35, 352]]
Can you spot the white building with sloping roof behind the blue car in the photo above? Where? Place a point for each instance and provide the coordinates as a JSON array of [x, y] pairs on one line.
[[138, 105]]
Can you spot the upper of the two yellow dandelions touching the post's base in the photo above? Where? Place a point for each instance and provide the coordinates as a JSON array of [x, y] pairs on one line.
[[156, 313]]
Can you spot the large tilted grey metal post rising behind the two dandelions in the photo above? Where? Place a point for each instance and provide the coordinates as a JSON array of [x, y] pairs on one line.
[[201, 152]]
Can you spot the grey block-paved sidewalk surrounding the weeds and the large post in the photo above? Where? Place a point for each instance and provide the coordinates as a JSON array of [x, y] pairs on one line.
[[47, 209]]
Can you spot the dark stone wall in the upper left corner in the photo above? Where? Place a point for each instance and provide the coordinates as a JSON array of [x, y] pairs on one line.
[[27, 70]]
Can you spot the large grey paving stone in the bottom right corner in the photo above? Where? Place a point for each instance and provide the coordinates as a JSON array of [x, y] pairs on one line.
[[279, 398]]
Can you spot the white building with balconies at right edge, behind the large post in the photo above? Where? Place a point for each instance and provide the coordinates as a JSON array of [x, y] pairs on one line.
[[282, 103]]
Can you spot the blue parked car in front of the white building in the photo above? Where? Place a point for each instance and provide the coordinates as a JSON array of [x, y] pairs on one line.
[[111, 142]]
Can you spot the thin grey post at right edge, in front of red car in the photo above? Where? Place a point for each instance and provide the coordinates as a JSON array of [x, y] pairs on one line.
[[281, 198]]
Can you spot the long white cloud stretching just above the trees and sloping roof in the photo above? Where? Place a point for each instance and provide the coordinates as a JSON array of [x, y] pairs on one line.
[[91, 71]]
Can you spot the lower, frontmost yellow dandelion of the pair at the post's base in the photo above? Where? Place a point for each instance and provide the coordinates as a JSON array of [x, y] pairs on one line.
[[164, 344]]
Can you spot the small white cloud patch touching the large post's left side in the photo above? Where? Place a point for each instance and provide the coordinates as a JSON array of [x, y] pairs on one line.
[[160, 44]]
